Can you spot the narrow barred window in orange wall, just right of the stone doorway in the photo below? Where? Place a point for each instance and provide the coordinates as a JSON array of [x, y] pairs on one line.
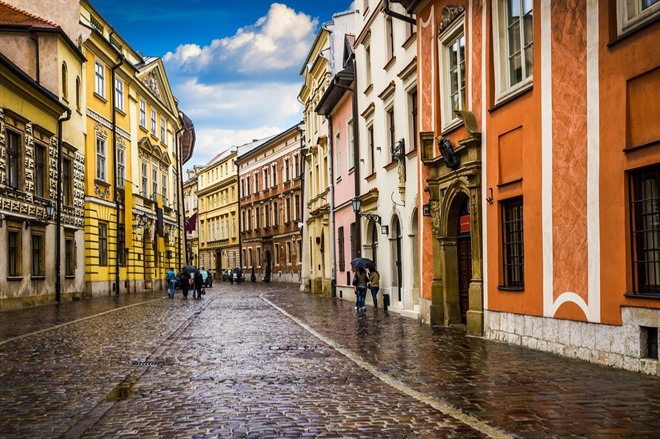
[[512, 240]]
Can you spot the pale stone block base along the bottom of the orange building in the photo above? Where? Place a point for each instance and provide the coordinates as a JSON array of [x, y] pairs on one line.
[[622, 347]]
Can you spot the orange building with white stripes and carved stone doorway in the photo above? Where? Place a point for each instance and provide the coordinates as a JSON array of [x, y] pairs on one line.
[[554, 164]]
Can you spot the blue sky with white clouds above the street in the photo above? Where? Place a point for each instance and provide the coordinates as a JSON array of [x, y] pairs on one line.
[[233, 66]]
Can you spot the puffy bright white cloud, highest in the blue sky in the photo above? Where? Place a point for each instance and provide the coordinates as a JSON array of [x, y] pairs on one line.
[[276, 41]]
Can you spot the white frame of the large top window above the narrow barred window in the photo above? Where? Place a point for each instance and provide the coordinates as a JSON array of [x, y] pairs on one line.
[[502, 73]]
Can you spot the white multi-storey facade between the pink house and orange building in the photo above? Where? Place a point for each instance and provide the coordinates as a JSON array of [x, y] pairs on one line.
[[389, 190]]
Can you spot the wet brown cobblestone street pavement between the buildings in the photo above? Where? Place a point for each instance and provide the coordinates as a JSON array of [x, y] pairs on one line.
[[263, 360]]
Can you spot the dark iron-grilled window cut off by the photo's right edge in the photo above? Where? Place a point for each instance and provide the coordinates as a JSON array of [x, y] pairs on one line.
[[644, 187]]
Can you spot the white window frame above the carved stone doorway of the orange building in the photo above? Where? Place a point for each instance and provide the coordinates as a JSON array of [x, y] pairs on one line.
[[450, 36]]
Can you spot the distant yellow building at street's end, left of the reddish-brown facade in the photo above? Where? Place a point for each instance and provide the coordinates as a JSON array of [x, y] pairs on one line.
[[217, 194]]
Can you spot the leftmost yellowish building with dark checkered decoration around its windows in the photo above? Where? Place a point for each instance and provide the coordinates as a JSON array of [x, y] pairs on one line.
[[41, 199]]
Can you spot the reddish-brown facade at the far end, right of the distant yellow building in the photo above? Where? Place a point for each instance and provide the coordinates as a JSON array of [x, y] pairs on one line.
[[271, 207]]
